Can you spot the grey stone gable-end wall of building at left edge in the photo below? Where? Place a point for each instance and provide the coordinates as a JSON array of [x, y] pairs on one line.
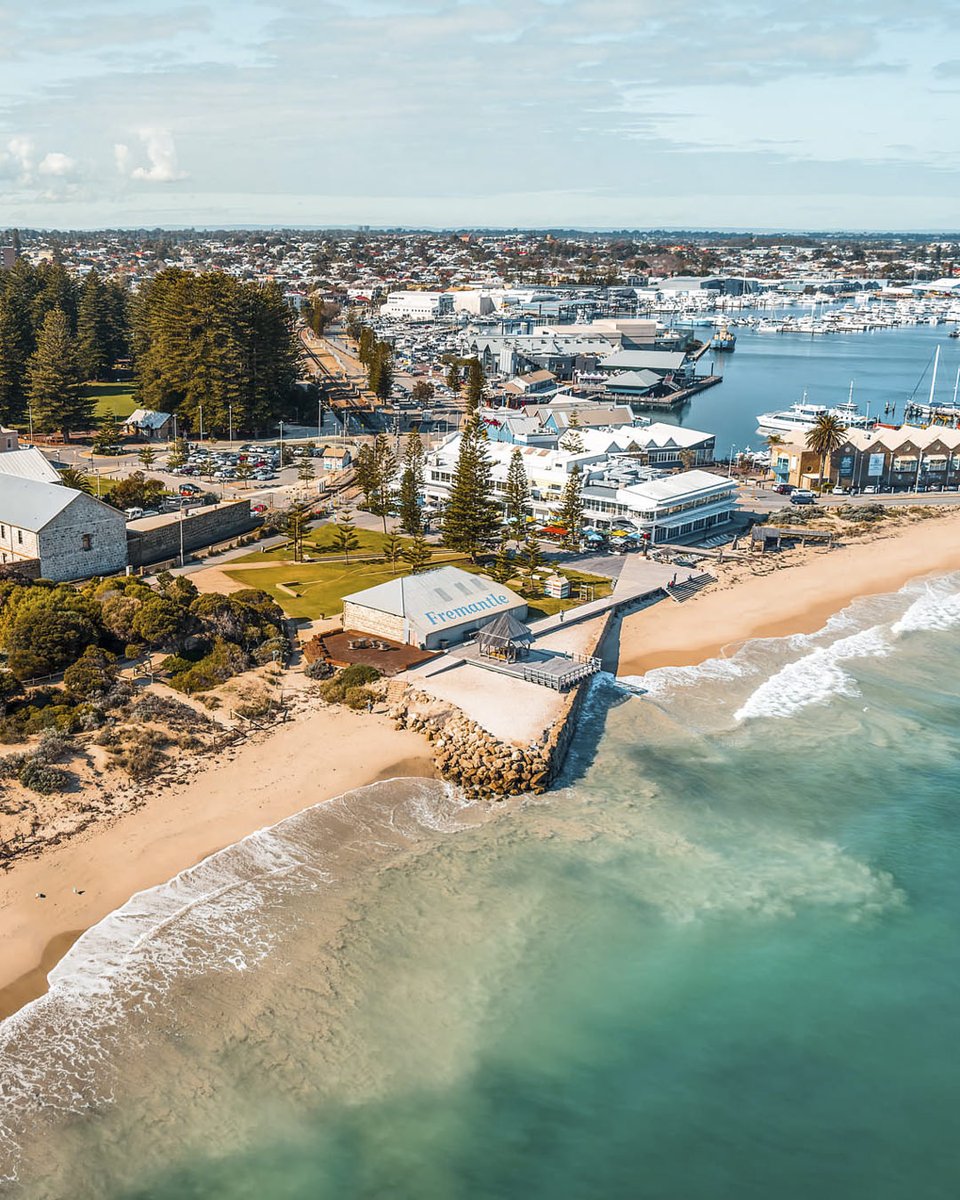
[[62, 542]]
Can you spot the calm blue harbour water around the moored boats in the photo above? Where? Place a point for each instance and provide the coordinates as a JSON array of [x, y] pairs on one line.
[[773, 371]]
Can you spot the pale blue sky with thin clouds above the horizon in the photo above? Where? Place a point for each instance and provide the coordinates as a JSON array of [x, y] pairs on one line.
[[812, 115]]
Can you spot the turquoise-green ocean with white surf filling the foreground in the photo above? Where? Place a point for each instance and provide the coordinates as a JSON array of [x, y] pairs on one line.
[[723, 961]]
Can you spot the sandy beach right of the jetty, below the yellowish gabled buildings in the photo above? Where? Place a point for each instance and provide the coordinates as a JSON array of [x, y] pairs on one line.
[[793, 592]]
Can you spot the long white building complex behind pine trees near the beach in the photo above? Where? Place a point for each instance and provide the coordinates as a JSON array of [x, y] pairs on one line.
[[617, 490]]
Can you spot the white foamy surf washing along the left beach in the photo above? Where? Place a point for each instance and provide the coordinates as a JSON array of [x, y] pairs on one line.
[[225, 915]]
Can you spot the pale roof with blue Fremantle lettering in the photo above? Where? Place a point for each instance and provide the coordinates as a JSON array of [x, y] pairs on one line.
[[441, 599]]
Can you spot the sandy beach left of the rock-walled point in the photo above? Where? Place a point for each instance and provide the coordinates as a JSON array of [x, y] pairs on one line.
[[322, 753]]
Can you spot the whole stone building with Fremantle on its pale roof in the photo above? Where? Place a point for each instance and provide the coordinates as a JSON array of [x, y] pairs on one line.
[[434, 610]]
